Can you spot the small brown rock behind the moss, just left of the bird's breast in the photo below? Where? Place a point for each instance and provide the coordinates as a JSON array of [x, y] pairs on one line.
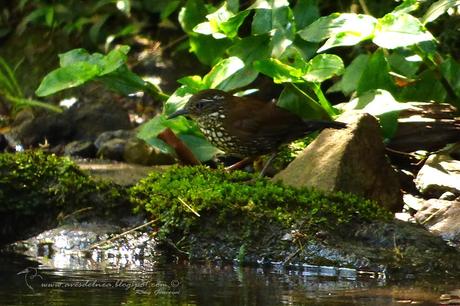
[[138, 152]]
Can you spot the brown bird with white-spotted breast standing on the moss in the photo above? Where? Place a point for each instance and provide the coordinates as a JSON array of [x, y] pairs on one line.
[[246, 126]]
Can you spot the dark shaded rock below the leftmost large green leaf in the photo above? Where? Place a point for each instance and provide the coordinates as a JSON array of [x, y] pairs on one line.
[[89, 120]]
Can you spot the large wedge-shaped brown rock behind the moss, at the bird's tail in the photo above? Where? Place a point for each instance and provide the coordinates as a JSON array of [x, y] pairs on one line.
[[350, 160]]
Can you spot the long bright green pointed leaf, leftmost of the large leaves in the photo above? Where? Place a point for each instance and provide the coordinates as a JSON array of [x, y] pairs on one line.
[[67, 77]]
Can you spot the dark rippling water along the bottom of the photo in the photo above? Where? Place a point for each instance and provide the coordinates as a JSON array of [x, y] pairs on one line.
[[21, 283]]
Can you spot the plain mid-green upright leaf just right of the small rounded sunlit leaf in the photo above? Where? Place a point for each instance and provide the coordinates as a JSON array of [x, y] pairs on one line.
[[350, 80]]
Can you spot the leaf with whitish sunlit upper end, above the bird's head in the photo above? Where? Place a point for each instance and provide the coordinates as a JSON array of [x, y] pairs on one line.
[[222, 71]]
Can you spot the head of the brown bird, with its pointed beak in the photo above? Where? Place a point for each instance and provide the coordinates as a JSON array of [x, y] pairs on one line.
[[203, 103]]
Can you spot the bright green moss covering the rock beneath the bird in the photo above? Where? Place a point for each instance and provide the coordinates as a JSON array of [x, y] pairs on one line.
[[237, 208]]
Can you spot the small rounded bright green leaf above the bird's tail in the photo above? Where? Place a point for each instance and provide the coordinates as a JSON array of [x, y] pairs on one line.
[[323, 67]]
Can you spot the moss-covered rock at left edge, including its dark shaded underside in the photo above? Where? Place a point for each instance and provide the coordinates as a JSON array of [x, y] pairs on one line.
[[36, 188]]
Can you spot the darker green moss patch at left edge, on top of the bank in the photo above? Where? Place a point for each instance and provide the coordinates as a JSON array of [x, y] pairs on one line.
[[35, 180]]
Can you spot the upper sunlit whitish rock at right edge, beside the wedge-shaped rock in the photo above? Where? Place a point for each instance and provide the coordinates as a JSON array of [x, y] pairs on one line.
[[439, 174]]
